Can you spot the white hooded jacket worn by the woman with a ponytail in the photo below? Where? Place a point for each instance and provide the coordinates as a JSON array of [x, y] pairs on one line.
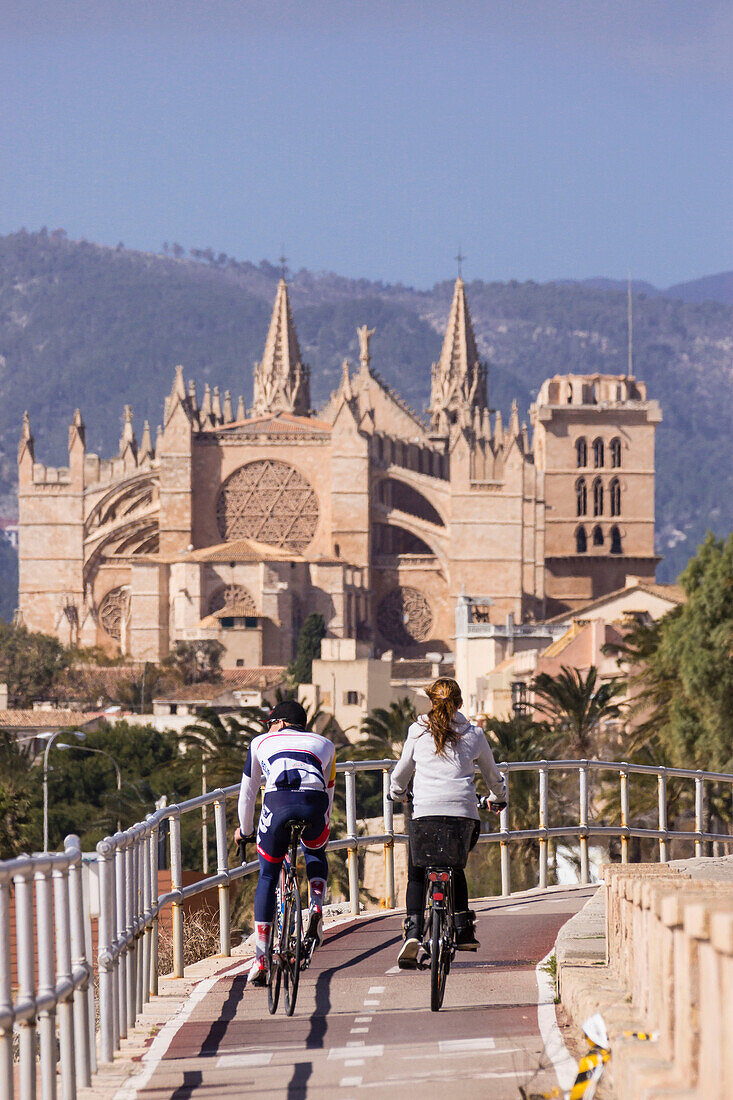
[[444, 785]]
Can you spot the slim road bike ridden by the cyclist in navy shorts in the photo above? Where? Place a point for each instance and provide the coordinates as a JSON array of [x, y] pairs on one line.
[[289, 953]]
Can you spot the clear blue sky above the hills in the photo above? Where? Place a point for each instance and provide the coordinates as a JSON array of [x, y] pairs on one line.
[[546, 139]]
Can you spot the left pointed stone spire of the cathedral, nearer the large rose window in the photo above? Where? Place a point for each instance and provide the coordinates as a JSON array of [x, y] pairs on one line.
[[282, 382]]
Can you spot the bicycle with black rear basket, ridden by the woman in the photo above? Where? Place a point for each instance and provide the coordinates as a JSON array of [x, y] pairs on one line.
[[441, 846]]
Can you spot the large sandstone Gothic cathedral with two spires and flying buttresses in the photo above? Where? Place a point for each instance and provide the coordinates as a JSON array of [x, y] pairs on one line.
[[235, 525]]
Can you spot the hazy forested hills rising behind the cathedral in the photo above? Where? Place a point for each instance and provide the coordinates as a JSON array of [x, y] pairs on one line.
[[95, 327]]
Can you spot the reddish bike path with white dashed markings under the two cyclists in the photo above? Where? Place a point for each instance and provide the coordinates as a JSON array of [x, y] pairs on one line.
[[363, 1028]]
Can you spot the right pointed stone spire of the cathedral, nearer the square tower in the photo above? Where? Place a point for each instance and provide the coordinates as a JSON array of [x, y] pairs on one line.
[[460, 379]]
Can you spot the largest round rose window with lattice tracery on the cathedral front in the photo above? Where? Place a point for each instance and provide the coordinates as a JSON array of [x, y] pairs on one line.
[[270, 502]]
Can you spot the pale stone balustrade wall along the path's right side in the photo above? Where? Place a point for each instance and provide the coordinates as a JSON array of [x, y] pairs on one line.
[[669, 971]]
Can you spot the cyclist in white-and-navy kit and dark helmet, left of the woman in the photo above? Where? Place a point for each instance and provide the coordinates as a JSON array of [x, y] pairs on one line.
[[300, 774]]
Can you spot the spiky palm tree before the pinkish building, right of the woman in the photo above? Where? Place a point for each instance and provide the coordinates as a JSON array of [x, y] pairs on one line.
[[576, 706]]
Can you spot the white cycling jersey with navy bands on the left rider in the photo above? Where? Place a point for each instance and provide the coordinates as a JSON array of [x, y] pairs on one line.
[[290, 761]]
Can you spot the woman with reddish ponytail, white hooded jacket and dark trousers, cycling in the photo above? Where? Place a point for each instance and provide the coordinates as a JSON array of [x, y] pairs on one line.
[[442, 752]]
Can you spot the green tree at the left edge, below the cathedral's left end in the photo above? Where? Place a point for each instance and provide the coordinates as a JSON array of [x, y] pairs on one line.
[[30, 664]]
